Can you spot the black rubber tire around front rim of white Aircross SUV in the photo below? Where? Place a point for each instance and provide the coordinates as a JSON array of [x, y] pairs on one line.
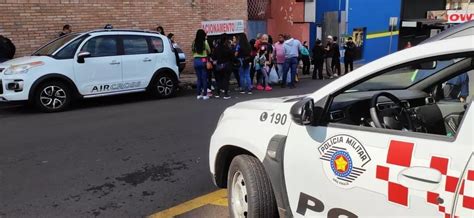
[[62, 86]]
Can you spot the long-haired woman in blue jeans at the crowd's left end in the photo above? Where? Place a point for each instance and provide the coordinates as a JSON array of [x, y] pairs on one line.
[[201, 51]]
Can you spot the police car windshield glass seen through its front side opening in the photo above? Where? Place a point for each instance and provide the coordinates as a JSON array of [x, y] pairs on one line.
[[403, 77]]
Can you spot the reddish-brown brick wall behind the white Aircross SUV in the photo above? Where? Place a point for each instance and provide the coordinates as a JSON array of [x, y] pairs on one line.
[[32, 23]]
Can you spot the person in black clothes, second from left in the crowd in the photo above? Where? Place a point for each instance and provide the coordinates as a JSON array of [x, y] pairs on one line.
[[223, 56]]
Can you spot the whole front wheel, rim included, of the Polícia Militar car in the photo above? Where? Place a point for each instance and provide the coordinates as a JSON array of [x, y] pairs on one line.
[[249, 189]]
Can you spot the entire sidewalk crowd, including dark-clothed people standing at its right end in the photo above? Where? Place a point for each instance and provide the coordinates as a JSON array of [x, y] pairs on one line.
[[259, 63]]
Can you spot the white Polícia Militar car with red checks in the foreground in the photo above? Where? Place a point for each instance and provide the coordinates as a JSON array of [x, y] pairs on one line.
[[384, 140]]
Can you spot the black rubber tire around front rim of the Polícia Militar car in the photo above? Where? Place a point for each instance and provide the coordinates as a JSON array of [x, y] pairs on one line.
[[260, 197]]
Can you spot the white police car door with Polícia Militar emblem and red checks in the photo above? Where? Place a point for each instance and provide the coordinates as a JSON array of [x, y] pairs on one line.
[[357, 171]]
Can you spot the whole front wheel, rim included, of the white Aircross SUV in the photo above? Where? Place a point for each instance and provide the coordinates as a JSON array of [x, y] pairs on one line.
[[52, 97]]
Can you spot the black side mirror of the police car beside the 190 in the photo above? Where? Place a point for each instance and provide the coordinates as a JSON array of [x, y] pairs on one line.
[[302, 112]]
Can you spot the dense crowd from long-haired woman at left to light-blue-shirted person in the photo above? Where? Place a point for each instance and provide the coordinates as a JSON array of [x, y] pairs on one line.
[[252, 63]]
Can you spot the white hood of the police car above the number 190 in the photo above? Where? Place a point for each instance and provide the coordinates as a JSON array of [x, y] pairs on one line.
[[269, 103]]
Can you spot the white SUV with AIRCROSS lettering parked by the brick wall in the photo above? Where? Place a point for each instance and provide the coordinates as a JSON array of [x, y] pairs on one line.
[[91, 64]]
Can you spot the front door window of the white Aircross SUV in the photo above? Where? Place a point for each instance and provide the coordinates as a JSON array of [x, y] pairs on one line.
[[101, 46]]
